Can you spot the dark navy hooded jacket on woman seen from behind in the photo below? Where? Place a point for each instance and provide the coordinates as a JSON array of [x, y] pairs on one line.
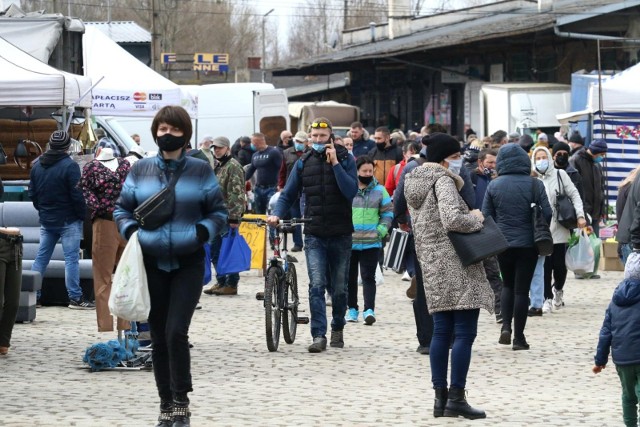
[[508, 198]]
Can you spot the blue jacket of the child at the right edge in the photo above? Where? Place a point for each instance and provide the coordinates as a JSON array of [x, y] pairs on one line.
[[620, 330]]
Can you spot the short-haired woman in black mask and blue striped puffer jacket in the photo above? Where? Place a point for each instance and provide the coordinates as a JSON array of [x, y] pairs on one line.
[[173, 253]]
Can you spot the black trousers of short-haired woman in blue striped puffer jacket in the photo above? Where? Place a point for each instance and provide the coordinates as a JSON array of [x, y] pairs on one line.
[[174, 296]]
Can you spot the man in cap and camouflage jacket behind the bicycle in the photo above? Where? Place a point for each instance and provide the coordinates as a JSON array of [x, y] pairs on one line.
[[231, 180]]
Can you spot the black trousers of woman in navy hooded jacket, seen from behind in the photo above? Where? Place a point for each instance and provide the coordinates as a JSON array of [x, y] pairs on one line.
[[517, 266]]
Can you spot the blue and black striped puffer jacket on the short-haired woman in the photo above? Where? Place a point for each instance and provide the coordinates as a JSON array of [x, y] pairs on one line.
[[198, 201]]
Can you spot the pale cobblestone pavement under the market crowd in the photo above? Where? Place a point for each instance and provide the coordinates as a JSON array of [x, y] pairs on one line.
[[377, 379]]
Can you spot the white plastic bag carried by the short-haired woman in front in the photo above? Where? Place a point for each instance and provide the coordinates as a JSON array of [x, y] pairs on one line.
[[129, 297]]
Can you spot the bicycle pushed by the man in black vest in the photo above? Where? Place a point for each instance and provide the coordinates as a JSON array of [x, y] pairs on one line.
[[280, 296]]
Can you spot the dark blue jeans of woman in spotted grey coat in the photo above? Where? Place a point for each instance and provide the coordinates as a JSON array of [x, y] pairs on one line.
[[463, 324]]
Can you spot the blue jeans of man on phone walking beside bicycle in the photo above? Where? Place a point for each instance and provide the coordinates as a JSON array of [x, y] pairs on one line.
[[328, 266]]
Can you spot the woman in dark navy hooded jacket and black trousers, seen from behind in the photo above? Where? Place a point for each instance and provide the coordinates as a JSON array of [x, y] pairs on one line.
[[508, 200]]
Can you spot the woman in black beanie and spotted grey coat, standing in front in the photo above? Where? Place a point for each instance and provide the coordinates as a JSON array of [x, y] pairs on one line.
[[454, 293]]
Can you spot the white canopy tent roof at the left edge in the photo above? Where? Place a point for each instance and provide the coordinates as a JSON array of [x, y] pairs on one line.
[[26, 81]]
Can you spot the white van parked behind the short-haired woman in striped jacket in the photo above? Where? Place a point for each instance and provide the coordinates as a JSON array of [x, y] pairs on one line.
[[226, 109]]
